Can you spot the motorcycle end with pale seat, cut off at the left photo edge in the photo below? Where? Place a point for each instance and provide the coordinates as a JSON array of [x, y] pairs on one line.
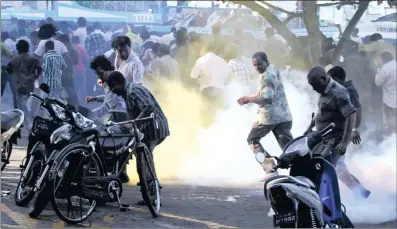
[[11, 125]]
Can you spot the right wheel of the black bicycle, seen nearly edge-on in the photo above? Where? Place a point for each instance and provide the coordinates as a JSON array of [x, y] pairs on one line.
[[150, 186]]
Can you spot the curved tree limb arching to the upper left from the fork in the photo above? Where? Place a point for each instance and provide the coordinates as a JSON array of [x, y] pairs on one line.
[[281, 28]]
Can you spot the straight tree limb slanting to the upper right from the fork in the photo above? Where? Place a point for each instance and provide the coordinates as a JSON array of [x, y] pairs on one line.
[[362, 7]]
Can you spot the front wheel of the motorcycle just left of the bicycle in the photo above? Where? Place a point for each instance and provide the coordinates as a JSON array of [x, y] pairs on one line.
[[24, 191]]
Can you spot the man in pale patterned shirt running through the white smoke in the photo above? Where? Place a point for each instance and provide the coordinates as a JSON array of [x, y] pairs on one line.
[[274, 113]]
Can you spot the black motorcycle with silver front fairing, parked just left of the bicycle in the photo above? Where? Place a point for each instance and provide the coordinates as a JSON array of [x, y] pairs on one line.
[[52, 129]]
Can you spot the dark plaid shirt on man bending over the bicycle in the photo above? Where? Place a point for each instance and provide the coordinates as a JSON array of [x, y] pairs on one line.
[[137, 99]]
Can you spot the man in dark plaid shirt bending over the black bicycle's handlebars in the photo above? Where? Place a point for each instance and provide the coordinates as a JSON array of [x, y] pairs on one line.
[[140, 104]]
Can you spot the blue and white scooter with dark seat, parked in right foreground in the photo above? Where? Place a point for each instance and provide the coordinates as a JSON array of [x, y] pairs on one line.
[[309, 197]]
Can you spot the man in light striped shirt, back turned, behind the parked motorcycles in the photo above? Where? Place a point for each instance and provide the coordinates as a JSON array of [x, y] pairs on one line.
[[53, 66]]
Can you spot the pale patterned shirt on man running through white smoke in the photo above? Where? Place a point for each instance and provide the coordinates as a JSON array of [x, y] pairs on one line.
[[271, 87]]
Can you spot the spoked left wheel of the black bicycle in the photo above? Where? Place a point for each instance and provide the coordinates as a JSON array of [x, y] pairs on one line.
[[66, 199]]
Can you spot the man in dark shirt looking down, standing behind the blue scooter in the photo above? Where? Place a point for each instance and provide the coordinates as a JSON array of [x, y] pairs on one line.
[[333, 107]]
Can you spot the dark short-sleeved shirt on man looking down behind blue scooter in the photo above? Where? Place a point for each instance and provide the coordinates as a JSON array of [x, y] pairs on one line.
[[334, 106]]
